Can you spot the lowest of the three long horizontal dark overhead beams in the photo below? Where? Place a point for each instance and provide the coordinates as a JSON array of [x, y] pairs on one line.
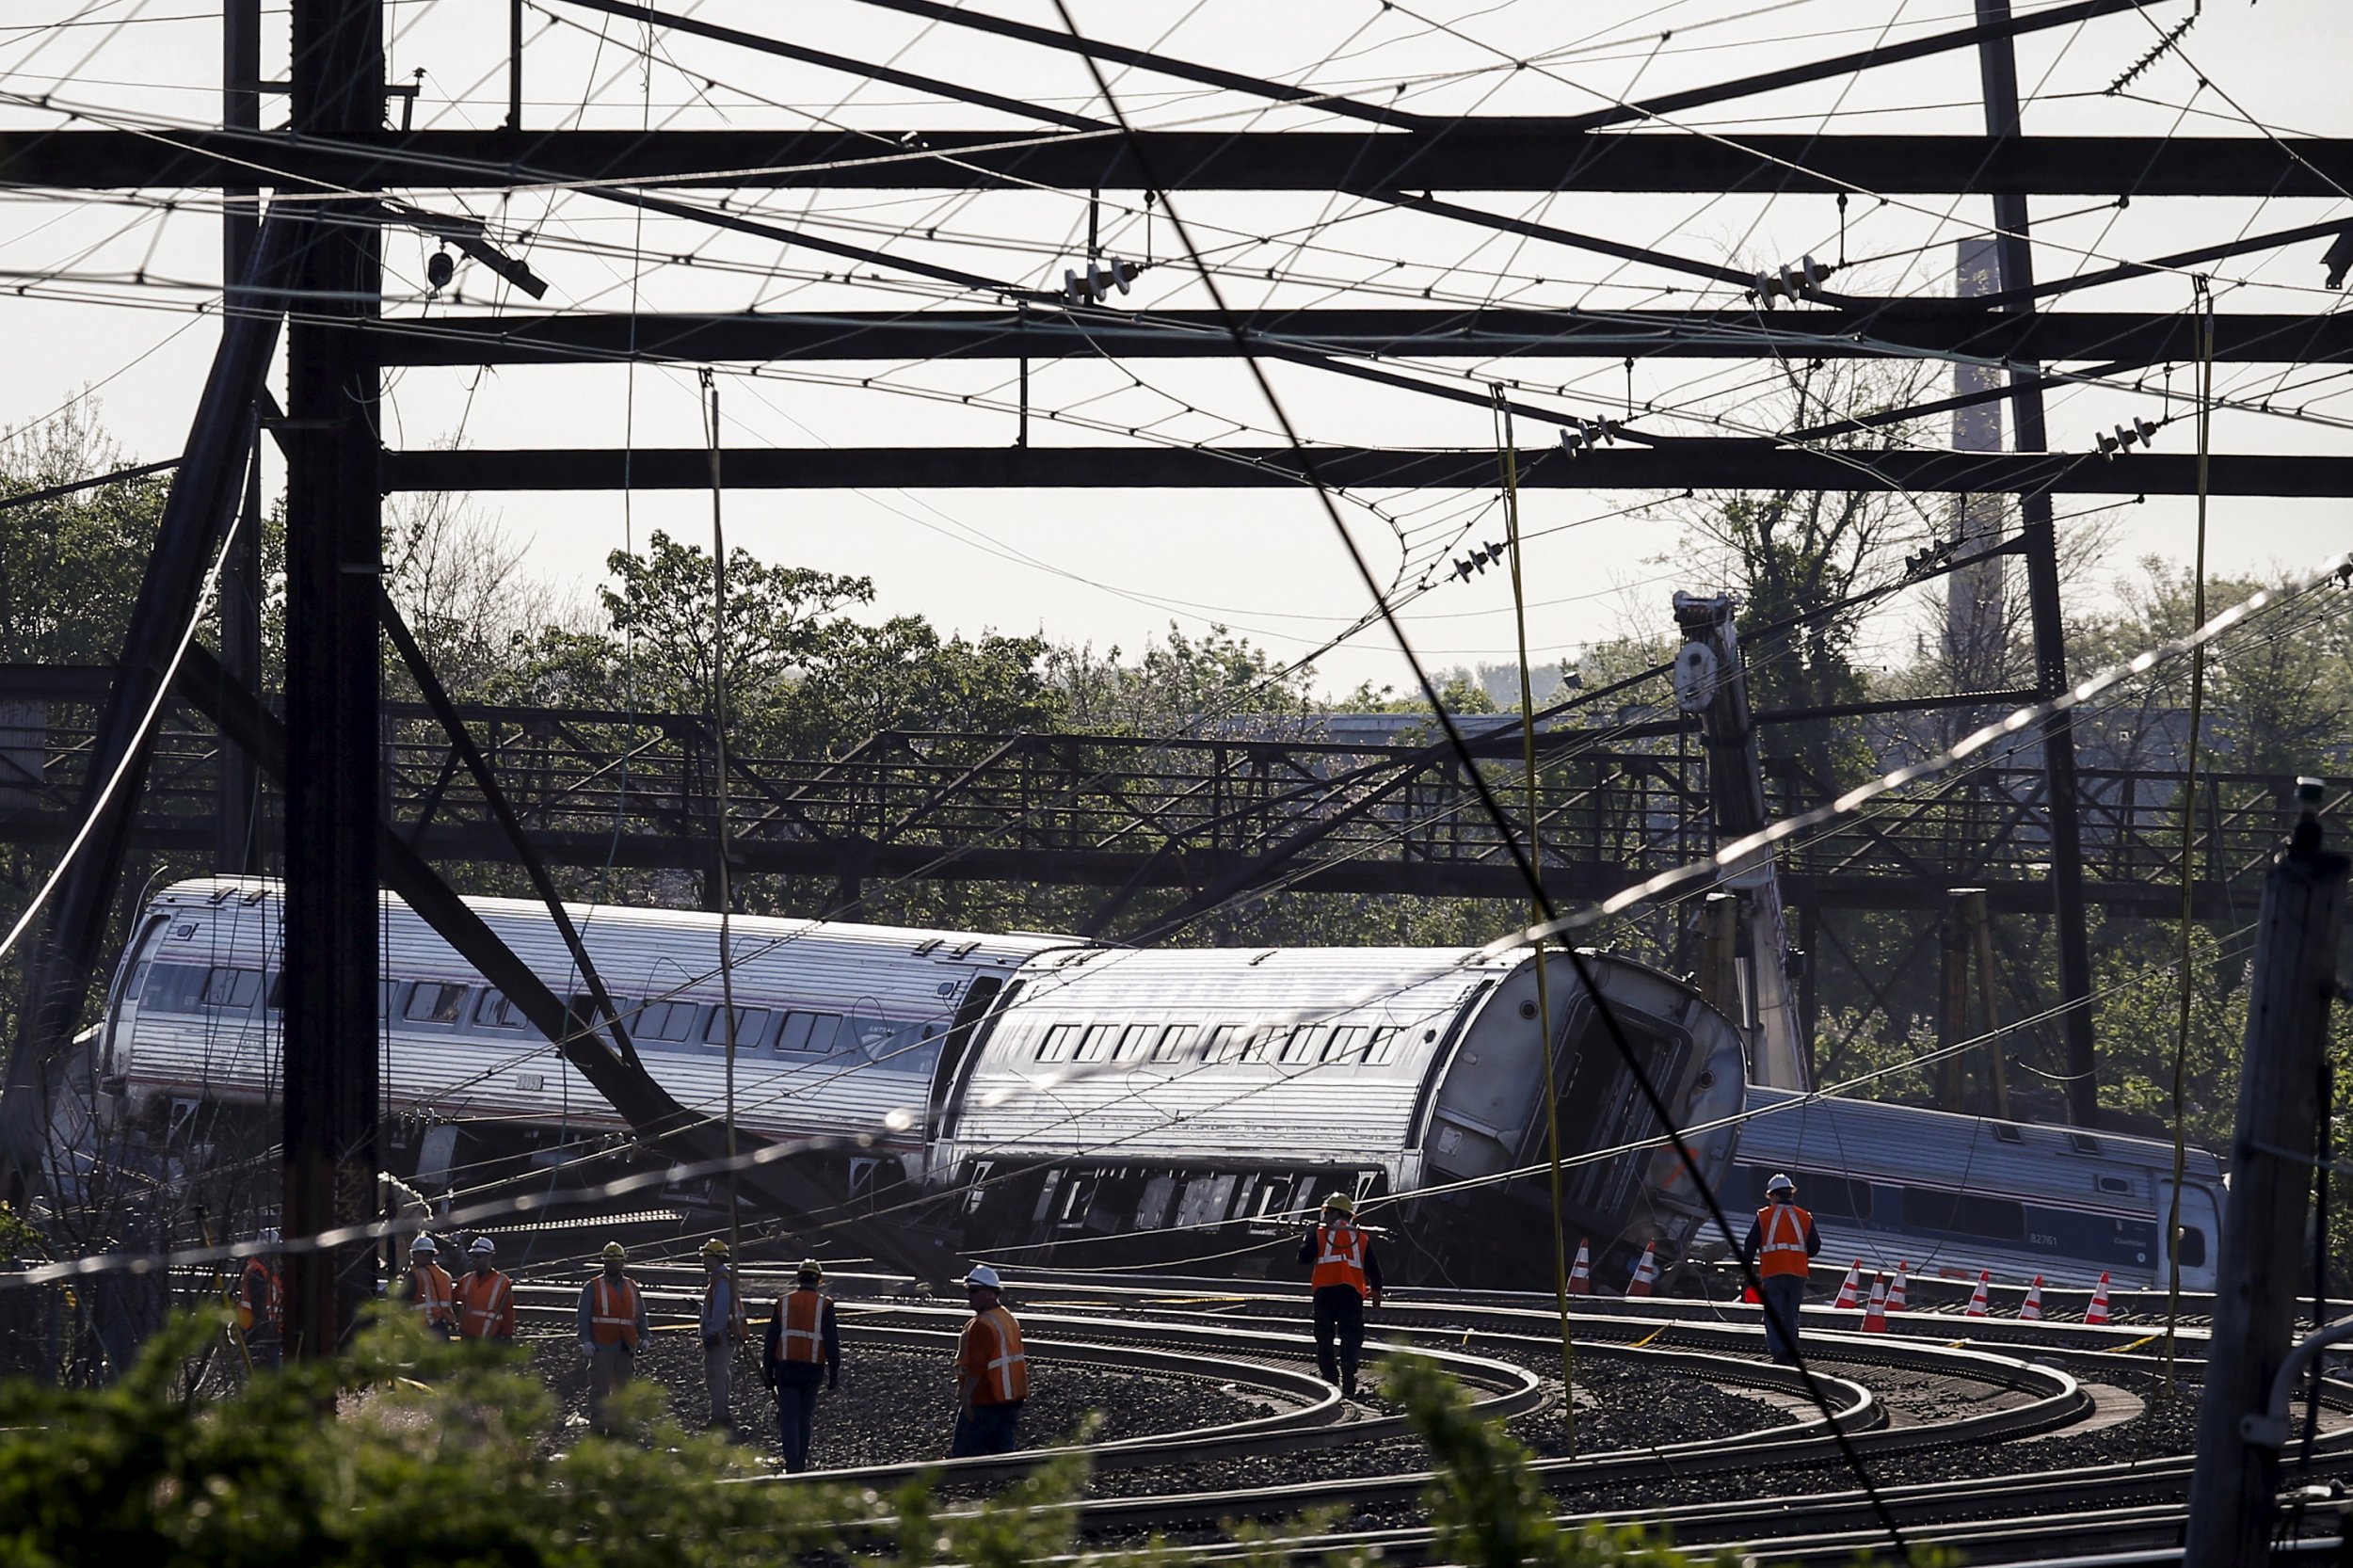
[[1667, 467]]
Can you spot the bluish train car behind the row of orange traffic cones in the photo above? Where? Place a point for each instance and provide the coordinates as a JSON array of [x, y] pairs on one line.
[[1957, 1195]]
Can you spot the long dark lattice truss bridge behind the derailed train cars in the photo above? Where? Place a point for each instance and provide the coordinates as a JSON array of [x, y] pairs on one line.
[[1211, 816]]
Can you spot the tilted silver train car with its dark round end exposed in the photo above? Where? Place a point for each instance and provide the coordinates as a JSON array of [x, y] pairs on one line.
[[1180, 1105]]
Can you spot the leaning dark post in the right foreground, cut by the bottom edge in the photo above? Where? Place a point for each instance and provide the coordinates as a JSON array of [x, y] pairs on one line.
[[2234, 1491]]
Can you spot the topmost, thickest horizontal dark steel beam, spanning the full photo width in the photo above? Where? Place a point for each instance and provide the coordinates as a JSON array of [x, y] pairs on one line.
[[1465, 157]]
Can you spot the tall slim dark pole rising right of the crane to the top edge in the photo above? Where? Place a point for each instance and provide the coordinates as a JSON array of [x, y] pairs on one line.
[[1999, 69]]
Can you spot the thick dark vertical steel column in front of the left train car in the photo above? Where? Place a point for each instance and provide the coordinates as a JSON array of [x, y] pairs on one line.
[[335, 559]]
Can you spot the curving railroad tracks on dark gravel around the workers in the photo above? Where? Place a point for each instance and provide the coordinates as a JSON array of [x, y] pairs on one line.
[[1971, 1393]]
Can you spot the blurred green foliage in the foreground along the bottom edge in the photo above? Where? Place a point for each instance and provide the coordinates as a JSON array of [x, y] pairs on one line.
[[418, 1454]]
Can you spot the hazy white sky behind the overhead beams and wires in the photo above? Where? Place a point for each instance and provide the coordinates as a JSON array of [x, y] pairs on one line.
[[114, 293]]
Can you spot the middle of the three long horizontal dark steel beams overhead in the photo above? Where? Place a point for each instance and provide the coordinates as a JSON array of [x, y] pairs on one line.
[[1484, 335]]
